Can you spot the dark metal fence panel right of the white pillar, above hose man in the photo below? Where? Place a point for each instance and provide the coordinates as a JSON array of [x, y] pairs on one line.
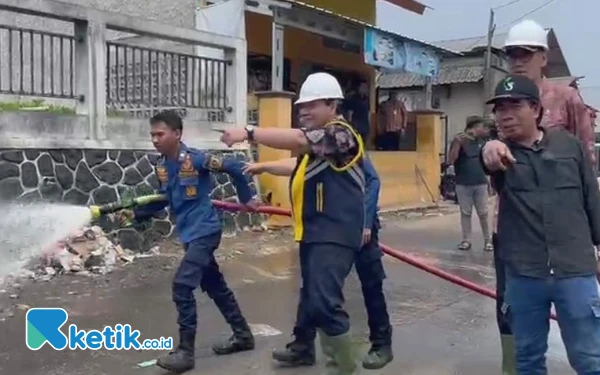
[[143, 79]]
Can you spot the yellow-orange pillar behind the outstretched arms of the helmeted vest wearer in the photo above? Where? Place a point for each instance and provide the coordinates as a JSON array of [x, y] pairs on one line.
[[275, 111]]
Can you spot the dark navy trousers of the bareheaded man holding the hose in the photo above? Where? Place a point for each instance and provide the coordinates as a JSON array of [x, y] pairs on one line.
[[200, 269]]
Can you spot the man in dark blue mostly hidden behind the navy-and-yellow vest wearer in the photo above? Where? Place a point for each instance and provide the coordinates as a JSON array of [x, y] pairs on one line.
[[369, 266]]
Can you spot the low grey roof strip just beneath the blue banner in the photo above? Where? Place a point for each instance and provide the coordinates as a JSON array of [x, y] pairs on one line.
[[448, 75]]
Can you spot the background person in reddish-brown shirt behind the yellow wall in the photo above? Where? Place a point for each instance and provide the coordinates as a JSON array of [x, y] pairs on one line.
[[392, 119]]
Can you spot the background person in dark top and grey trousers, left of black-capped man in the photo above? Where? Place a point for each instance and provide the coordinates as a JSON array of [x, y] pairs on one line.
[[471, 181]]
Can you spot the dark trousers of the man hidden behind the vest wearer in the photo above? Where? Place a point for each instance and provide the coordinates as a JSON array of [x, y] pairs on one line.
[[371, 274]]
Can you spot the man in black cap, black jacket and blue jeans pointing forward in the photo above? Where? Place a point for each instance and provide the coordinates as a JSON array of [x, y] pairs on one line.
[[548, 227]]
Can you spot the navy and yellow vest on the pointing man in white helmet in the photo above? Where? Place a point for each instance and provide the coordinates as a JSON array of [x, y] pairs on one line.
[[328, 202]]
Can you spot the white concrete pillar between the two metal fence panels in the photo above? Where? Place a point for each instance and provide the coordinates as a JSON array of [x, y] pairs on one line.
[[90, 75]]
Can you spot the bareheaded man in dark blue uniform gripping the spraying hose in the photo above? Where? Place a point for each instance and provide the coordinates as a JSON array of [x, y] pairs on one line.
[[184, 176]]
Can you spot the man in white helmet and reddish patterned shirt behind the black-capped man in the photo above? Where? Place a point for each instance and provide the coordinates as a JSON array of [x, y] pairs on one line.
[[526, 48]]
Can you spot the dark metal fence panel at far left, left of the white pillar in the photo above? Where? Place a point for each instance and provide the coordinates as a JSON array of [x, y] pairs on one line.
[[36, 63]]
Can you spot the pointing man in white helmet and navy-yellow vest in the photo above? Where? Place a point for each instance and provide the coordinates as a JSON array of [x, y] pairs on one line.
[[326, 188]]
